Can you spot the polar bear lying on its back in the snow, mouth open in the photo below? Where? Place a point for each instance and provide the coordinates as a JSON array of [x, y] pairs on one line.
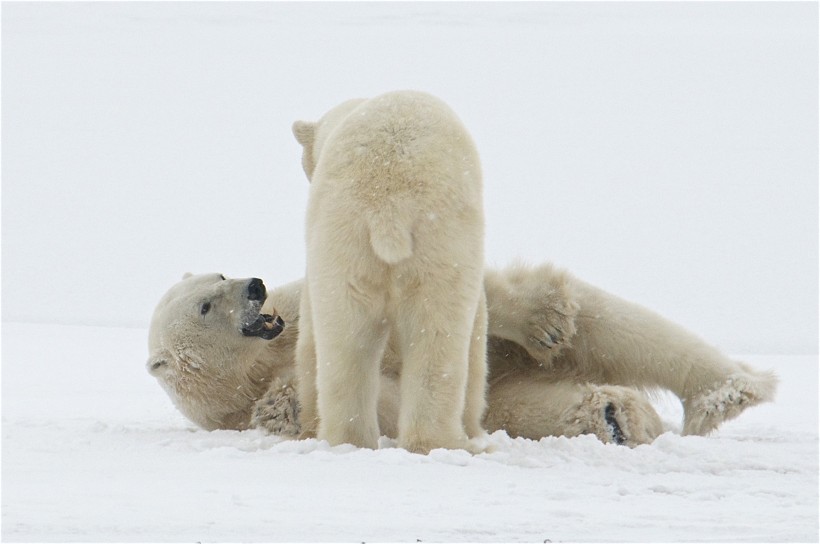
[[564, 359]]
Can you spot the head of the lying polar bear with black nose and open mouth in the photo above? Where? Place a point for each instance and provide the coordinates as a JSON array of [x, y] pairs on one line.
[[205, 333]]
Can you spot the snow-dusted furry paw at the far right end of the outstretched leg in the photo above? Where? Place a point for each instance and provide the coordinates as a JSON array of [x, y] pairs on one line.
[[703, 413]]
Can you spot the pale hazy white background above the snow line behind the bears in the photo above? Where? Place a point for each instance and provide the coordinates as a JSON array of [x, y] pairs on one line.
[[666, 152]]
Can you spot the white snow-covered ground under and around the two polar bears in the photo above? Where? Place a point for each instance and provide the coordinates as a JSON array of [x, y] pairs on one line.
[[94, 451]]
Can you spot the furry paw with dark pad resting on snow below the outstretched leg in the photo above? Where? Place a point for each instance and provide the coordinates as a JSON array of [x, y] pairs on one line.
[[616, 415]]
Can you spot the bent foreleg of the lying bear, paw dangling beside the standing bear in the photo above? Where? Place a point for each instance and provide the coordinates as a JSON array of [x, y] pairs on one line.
[[532, 306]]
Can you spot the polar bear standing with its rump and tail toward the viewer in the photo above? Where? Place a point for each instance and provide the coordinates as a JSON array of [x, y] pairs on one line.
[[395, 231]]
